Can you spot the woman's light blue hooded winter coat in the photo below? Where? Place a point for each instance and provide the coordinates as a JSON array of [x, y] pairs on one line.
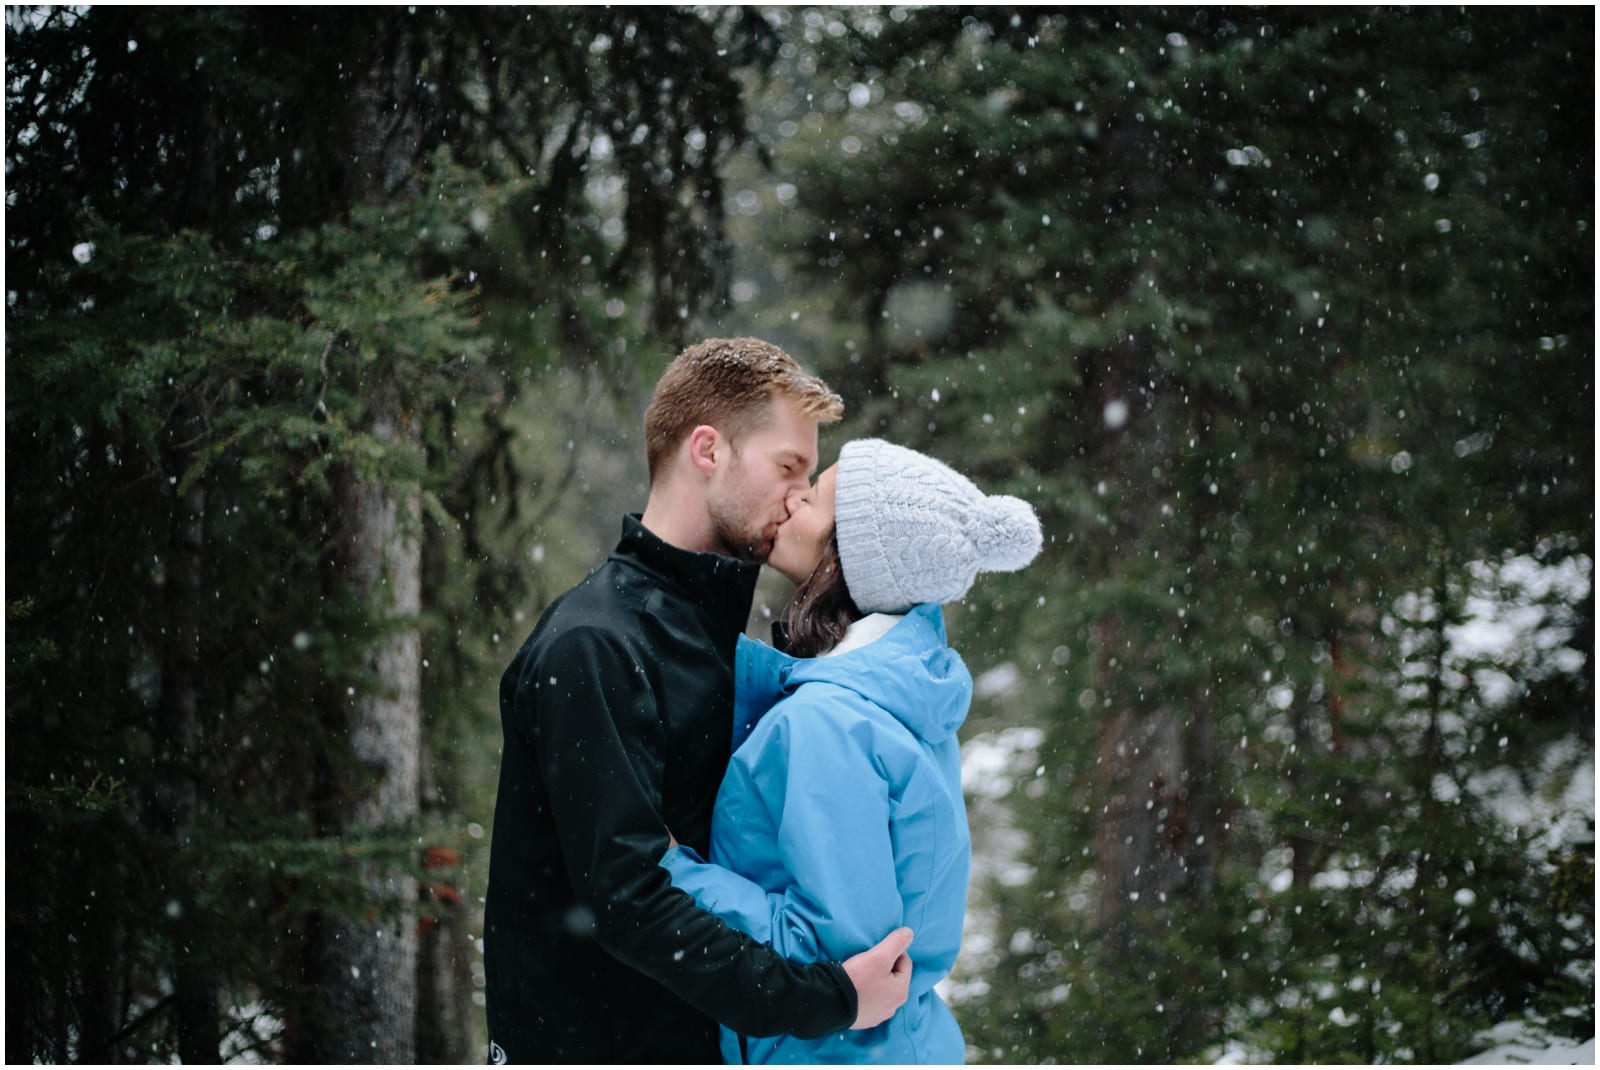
[[842, 820]]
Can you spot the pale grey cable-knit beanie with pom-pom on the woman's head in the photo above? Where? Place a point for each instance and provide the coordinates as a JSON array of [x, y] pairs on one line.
[[913, 530]]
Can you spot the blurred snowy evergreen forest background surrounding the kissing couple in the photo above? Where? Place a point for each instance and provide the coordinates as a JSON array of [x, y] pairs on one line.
[[327, 341]]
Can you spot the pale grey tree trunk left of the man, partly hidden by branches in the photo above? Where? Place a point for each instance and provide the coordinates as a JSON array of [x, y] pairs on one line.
[[369, 965]]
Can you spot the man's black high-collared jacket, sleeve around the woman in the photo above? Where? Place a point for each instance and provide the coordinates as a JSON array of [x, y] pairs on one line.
[[617, 717]]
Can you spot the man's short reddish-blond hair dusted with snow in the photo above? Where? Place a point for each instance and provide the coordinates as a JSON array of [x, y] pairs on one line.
[[727, 383]]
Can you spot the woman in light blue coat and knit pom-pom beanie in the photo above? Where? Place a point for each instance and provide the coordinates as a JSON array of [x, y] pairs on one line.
[[841, 818]]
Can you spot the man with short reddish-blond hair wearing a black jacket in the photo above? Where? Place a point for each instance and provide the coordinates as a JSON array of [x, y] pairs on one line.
[[617, 717]]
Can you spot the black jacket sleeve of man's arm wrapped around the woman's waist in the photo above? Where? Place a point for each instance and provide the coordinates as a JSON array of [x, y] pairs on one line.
[[598, 743]]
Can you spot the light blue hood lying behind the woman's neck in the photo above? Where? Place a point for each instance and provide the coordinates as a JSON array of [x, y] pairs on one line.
[[910, 673]]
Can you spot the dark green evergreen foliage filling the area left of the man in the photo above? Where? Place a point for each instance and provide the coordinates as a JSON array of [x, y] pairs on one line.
[[238, 242]]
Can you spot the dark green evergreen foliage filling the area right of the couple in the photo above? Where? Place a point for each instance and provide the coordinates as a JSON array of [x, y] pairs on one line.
[[1284, 319]]
